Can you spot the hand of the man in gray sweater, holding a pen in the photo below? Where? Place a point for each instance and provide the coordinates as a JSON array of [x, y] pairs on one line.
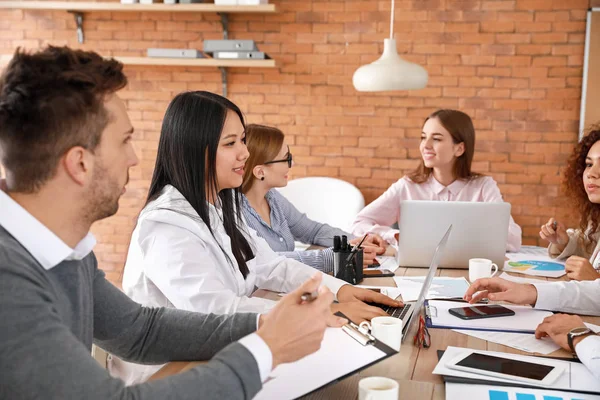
[[294, 329]]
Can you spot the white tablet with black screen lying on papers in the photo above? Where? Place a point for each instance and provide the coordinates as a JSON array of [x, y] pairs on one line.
[[541, 372]]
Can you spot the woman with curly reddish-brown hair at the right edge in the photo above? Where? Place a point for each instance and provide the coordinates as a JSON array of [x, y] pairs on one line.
[[582, 184]]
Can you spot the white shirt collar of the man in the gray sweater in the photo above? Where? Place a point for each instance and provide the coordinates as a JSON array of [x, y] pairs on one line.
[[40, 242]]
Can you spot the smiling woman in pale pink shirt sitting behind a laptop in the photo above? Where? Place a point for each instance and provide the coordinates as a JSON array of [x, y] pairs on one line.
[[444, 174]]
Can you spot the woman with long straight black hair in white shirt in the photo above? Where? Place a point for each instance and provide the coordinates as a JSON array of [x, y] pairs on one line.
[[191, 248]]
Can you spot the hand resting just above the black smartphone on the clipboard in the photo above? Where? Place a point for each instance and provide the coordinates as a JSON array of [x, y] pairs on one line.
[[498, 289]]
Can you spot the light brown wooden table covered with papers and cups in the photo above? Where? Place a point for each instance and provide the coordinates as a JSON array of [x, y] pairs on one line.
[[412, 366]]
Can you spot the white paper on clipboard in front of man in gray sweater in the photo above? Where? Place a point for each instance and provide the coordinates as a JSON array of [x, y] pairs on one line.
[[339, 355]]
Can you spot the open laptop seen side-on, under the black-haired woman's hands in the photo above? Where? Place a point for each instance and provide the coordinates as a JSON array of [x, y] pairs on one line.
[[410, 311]]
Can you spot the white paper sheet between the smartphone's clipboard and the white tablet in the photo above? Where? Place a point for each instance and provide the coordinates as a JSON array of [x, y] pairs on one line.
[[520, 341]]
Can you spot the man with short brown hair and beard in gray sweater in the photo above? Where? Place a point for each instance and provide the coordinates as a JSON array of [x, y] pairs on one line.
[[65, 143]]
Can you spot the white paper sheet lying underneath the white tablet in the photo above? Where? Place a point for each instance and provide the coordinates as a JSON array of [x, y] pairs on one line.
[[575, 376]]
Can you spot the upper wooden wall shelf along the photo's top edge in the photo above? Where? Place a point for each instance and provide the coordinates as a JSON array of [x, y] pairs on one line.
[[115, 6]]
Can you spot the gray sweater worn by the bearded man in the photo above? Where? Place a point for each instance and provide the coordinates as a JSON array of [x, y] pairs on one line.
[[48, 320]]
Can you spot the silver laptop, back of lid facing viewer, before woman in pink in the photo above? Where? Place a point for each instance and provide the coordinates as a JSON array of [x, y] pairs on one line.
[[480, 231]]
